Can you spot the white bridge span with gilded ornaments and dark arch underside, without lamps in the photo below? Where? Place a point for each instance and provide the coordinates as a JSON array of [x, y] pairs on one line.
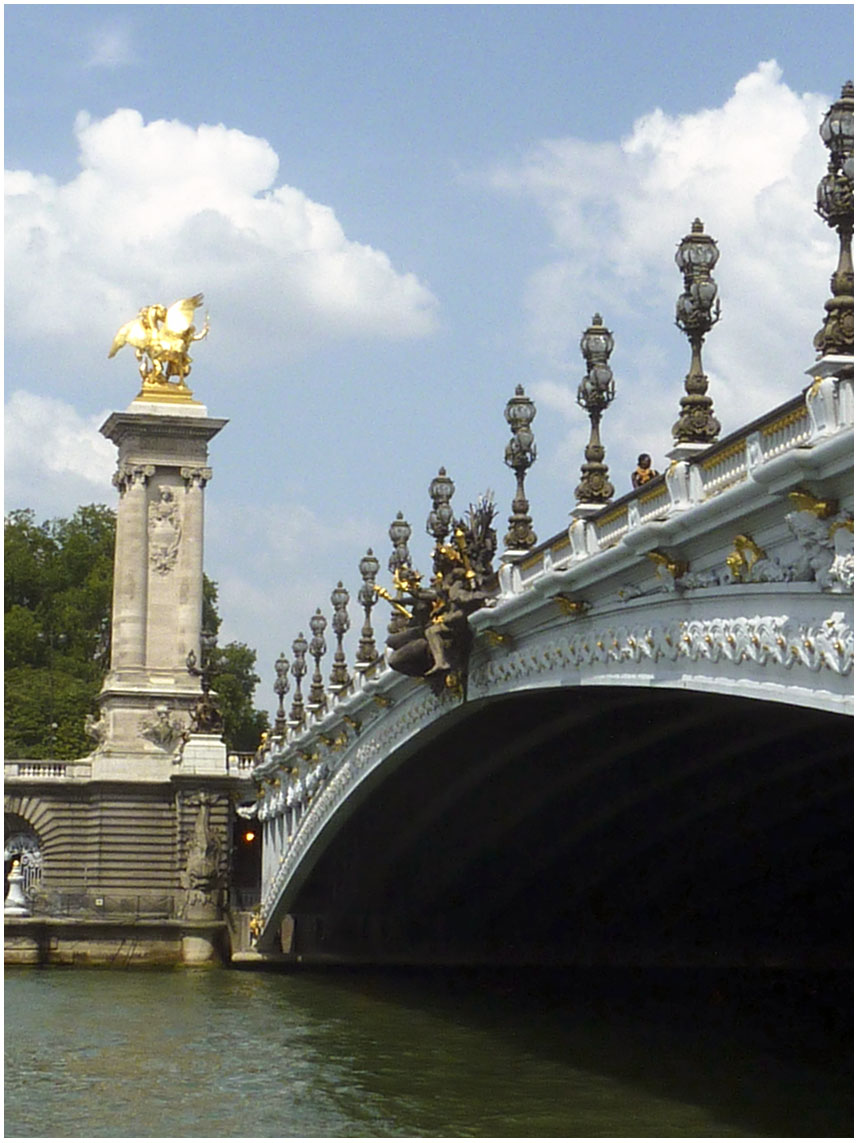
[[651, 762]]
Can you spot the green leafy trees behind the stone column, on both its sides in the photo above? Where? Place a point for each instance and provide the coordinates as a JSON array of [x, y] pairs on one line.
[[59, 586]]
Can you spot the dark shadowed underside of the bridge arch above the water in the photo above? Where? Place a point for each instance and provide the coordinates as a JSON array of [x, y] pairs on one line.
[[599, 826]]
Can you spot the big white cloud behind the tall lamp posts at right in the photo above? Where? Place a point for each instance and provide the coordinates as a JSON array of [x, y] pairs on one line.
[[619, 211]]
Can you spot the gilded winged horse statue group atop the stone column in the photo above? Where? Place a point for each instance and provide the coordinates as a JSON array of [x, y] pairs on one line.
[[162, 337]]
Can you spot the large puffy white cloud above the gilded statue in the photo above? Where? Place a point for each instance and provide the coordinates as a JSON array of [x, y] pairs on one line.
[[162, 210]]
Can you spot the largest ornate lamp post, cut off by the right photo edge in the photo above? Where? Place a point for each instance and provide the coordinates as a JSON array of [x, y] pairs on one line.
[[836, 207]]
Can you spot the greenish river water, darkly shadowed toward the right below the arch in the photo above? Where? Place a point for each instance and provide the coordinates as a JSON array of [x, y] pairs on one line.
[[440, 1054]]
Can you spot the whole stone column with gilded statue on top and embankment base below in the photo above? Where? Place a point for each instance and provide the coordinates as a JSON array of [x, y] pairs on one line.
[[130, 848]]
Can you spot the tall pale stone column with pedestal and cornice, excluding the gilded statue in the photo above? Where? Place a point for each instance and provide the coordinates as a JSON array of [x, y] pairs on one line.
[[149, 696]]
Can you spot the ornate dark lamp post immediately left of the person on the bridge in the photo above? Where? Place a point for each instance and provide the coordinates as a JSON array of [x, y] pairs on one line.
[[596, 394]]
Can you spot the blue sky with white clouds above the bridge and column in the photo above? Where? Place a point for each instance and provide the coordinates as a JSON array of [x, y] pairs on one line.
[[398, 214]]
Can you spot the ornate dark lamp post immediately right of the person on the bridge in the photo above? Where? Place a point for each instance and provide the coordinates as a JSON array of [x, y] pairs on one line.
[[697, 313]]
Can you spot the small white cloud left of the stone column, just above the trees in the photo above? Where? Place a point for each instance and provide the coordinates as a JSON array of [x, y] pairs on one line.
[[55, 459]]
